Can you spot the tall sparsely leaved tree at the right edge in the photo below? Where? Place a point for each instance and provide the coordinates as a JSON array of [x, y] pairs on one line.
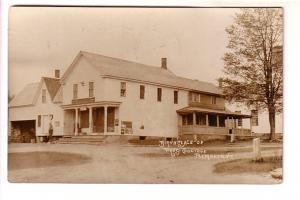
[[253, 63]]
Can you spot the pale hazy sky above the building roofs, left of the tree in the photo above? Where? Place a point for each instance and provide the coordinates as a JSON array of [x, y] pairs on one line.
[[42, 39]]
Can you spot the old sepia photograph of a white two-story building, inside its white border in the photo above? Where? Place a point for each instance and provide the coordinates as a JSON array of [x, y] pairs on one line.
[[145, 95]]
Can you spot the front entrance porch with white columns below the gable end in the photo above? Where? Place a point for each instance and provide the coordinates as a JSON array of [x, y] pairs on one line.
[[91, 119]]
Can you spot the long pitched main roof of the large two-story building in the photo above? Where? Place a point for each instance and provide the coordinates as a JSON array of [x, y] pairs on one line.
[[119, 68]]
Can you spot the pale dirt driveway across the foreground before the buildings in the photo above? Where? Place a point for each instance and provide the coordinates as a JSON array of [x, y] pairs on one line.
[[115, 163]]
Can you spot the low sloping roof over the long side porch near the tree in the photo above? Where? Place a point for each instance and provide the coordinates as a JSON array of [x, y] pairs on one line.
[[191, 109]]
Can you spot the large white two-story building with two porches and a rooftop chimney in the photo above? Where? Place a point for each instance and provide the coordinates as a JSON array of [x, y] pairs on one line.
[[101, 95]]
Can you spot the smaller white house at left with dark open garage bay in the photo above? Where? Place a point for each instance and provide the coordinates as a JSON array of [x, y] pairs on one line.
[[31, 109]]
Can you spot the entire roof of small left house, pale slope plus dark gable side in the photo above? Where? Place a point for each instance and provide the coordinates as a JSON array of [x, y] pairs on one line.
[[28, 95]]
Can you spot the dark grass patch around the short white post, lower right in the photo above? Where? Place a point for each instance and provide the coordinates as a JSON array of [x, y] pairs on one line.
[[248, 166]]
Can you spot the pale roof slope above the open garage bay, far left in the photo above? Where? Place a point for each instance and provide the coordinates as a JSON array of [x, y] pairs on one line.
[[26, 96]]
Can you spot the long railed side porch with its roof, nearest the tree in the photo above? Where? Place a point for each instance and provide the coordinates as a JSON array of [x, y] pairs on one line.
[[195, 121]]
